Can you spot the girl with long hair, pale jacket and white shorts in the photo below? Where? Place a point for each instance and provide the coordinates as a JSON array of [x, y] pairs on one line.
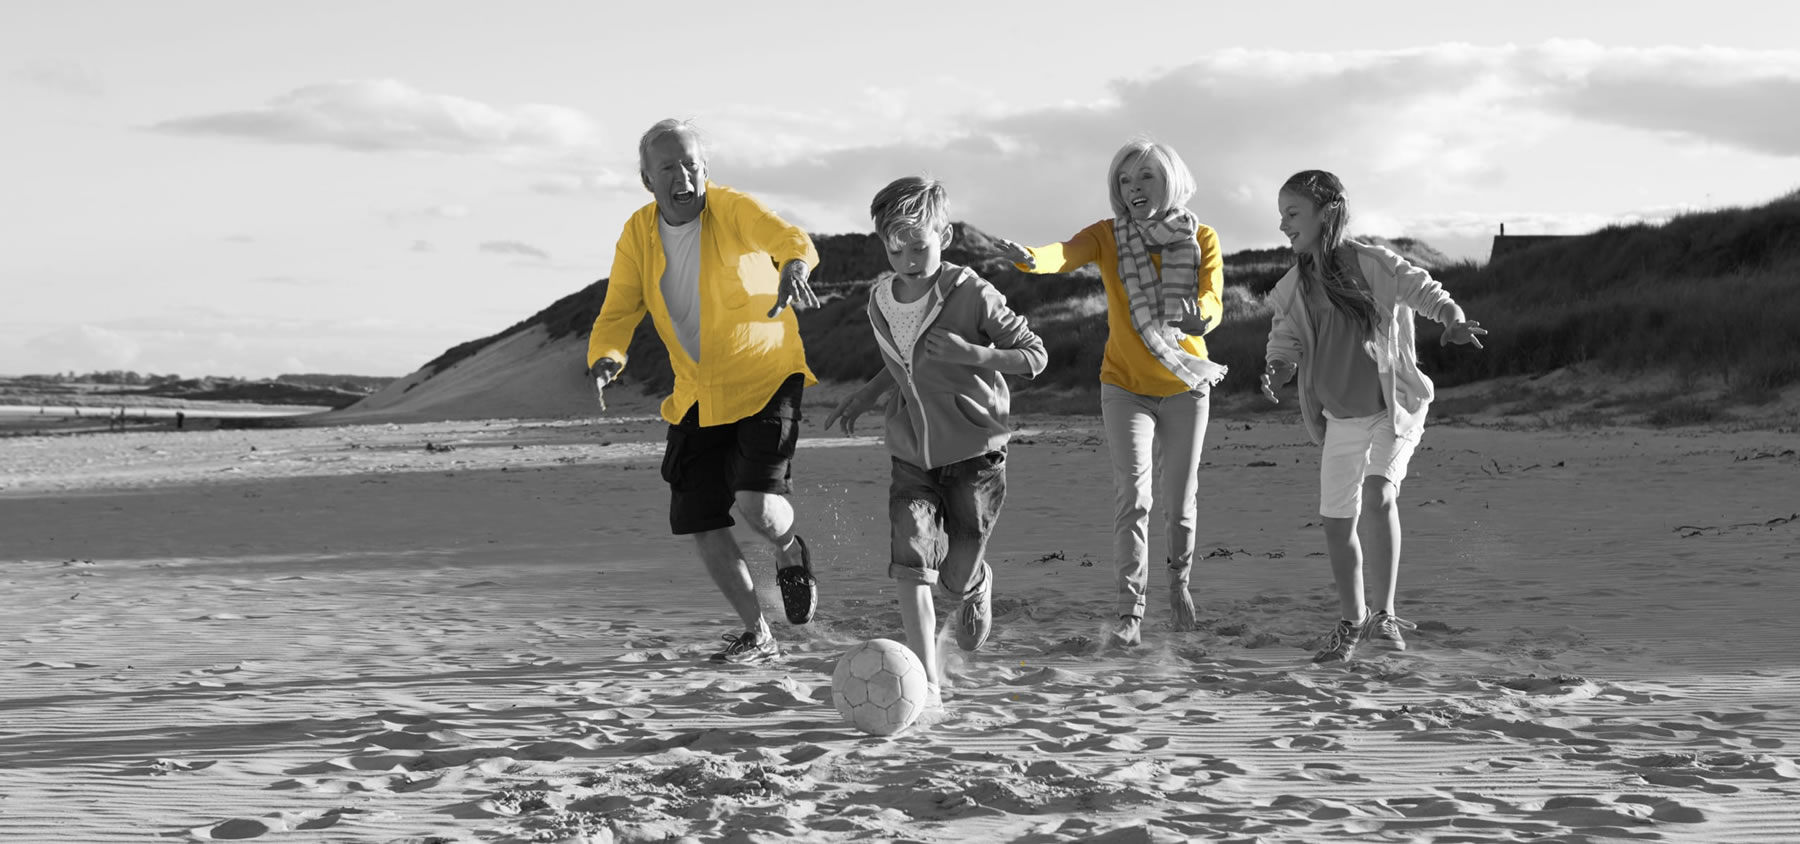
[[1344, 318]]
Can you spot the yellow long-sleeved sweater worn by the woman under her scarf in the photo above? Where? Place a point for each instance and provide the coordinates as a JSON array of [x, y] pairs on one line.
[[1129, 363]]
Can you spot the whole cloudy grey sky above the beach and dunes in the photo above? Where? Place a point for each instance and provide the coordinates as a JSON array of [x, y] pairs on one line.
[[249, 190]]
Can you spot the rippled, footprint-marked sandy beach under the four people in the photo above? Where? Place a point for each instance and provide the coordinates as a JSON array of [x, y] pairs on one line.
[[481, 631]]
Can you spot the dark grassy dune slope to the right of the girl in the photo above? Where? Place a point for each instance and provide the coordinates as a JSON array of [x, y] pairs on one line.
[[1702, 296]]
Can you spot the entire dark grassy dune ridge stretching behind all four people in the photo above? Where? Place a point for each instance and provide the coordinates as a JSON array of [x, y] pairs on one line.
[[1700, 296]]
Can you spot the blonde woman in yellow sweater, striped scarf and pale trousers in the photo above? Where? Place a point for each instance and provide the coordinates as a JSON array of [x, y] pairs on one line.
[[1164, 276]]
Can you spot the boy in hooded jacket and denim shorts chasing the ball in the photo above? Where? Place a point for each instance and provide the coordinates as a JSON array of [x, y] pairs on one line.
[[948, 341]]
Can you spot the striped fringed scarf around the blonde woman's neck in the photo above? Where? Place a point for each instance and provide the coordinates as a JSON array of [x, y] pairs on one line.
[[1158, 298]]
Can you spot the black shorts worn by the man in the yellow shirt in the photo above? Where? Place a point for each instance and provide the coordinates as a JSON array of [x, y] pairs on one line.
[[706, 467]]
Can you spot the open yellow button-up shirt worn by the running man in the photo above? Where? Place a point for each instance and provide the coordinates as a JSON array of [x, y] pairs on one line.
[[744, 354]]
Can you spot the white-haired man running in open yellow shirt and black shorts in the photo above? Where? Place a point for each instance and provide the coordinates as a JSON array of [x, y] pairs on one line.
[[703, 260]]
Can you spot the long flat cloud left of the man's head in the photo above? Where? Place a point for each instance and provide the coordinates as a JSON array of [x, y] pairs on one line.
[[381, 116]]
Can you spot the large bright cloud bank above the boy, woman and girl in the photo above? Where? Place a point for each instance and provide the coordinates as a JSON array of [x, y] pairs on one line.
[[1443, 123]]
